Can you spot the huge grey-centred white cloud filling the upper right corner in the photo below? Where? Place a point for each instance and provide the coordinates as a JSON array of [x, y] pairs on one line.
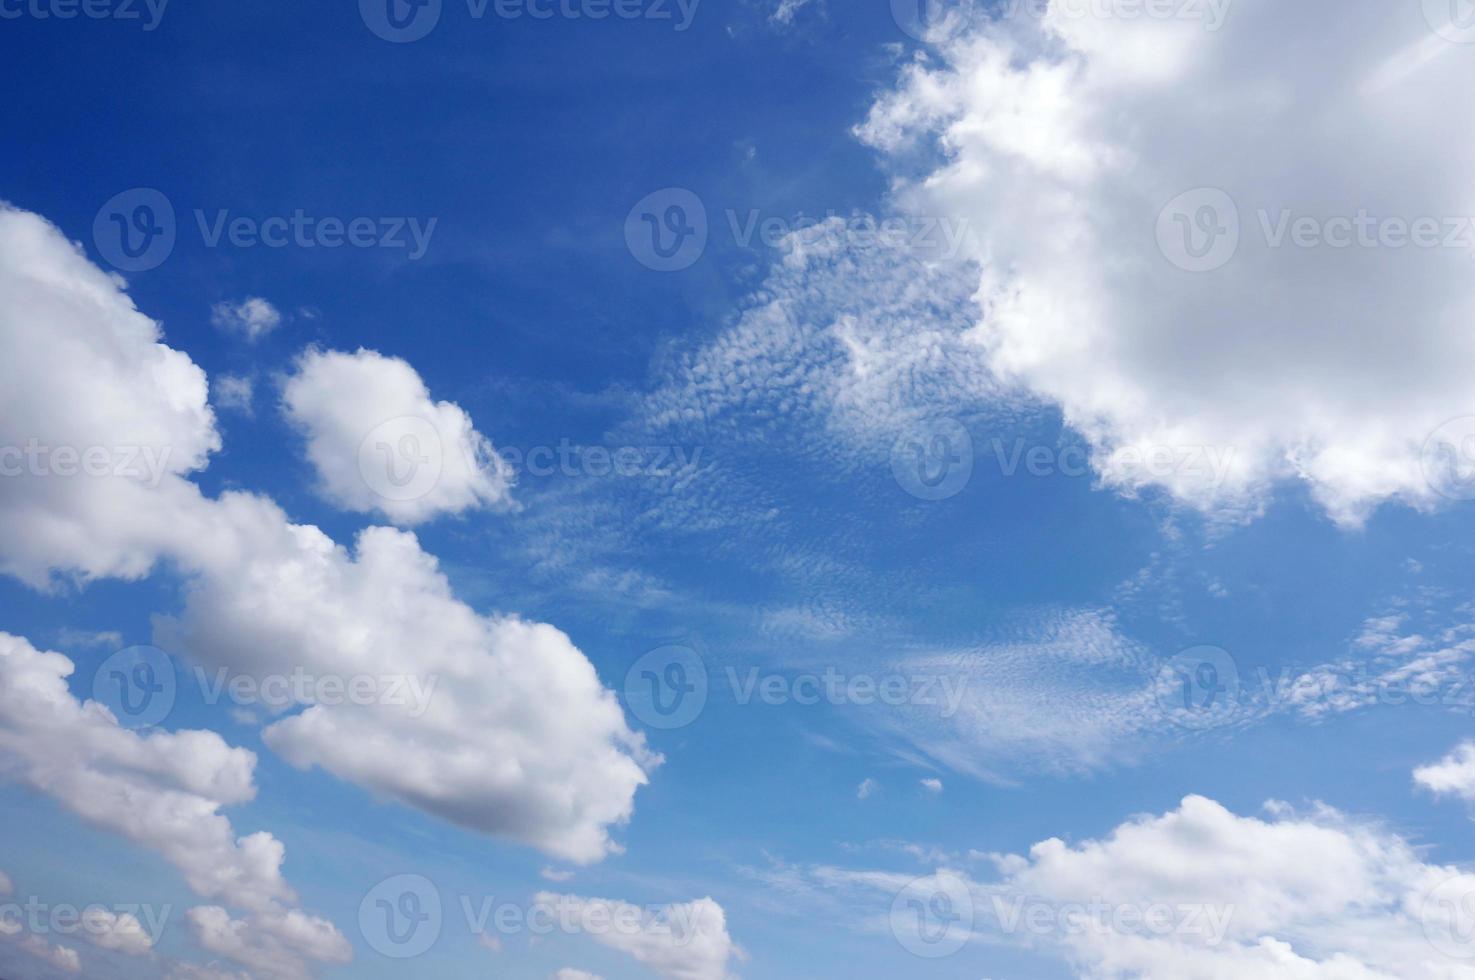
[[1325, 351]]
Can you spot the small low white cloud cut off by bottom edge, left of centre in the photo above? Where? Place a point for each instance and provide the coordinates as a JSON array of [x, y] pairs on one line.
[[684, 942]]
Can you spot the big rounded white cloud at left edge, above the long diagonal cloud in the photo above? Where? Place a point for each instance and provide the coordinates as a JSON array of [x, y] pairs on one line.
[[98, 418]]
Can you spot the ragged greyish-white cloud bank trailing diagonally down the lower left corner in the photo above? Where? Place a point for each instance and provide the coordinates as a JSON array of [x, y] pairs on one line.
[[164, 792]]
